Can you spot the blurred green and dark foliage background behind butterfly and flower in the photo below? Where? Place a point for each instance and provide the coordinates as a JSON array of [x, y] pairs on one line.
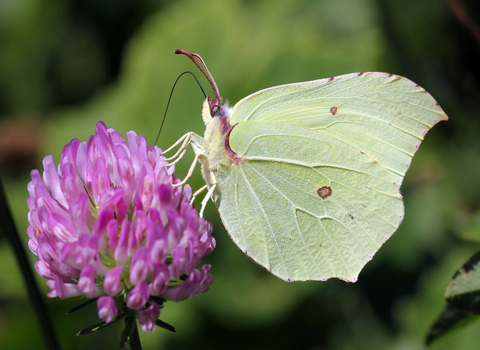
[[65, 64]]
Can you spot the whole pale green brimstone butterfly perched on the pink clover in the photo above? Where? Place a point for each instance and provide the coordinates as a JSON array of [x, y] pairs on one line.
[[306, 177]]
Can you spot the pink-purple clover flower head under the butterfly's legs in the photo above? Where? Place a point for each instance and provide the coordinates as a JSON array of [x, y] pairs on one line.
[[110, 223]]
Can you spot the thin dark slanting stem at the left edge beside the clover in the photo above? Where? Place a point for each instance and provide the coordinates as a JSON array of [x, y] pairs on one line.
[[8, 226]]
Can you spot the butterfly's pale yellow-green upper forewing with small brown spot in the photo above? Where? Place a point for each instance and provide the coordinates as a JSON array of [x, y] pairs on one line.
[[383, 115]]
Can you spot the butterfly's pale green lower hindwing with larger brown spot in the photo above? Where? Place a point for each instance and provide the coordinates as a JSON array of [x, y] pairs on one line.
[[305, 205]]
